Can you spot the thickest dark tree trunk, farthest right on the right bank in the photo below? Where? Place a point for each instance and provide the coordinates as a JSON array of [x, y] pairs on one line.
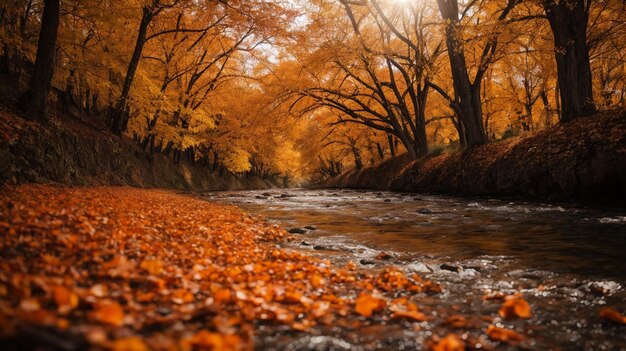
[[568, 21]]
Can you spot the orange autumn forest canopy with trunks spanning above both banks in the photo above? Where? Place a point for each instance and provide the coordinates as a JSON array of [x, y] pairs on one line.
[[303, 90]]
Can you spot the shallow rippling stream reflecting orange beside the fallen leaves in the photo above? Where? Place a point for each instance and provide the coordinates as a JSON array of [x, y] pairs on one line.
[[568, 261]]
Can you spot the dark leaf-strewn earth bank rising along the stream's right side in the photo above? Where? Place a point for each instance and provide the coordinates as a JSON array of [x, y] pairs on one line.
[[582, 160]]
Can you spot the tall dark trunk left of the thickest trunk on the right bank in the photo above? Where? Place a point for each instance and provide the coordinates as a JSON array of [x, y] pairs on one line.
[[467, 104]]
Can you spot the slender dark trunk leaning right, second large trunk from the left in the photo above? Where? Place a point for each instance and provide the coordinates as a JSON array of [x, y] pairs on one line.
[[120, 117]]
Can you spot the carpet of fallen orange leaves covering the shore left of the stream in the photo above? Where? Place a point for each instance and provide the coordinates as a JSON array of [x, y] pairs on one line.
[[131, 269]]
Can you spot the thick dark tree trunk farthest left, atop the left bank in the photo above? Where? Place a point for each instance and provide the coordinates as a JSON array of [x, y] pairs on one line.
[[33, 102]]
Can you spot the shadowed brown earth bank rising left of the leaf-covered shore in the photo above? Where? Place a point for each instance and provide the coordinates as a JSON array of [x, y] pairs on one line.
[[70, 151]]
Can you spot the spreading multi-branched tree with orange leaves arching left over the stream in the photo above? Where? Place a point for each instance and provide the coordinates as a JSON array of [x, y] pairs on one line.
[[380, 79]]
